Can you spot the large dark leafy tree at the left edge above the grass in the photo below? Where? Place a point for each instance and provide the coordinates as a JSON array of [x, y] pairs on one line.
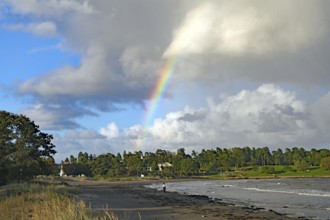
[[23, 147]]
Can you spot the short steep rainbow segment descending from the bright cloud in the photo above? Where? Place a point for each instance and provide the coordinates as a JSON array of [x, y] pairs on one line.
[[159, 88]]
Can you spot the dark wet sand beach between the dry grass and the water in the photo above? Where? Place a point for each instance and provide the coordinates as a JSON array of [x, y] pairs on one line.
[[131, 200]]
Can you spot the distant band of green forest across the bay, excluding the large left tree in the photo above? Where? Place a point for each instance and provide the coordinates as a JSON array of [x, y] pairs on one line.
[[166, 163]]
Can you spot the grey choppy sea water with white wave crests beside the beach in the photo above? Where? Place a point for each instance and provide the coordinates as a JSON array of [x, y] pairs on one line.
[[306, 197]]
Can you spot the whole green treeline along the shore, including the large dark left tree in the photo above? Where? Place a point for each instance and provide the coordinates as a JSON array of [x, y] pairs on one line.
[[26, 152]]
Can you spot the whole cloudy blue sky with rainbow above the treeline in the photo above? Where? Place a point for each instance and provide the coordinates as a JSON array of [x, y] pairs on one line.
[[104, 76]]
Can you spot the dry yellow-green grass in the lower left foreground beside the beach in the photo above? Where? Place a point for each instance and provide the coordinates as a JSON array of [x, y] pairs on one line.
[[39, 201]]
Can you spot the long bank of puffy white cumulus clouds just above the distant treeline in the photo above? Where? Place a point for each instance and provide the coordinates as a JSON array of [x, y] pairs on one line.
[[266, 116]]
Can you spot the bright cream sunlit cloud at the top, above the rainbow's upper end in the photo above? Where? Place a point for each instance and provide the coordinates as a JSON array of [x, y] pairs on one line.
[[247, 27]]
